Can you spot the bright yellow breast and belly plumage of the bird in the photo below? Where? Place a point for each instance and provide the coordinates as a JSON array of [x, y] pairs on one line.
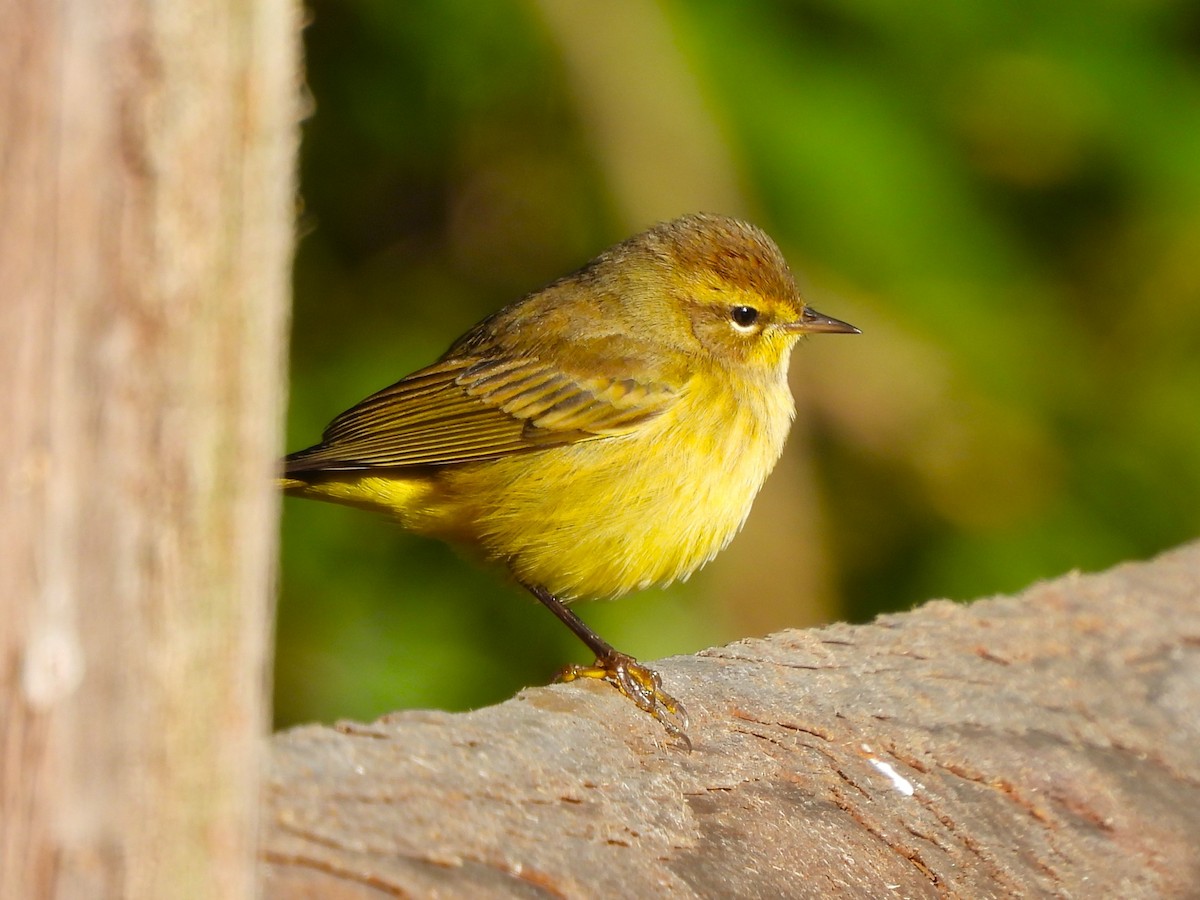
[[597, 519]]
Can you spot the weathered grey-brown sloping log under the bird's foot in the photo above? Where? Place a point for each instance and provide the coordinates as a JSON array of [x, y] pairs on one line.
[[1040, 746]]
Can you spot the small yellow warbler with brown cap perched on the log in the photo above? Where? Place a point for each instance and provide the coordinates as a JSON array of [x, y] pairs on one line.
[[604, 435]]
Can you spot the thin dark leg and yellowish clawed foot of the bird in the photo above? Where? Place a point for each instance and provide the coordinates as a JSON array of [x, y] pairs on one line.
[[640, 683]]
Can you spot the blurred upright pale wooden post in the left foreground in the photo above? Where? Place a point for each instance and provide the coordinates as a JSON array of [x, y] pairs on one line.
[[147, 199]]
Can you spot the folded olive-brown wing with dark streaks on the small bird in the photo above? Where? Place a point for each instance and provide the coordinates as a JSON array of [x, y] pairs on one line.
[[465, 410]]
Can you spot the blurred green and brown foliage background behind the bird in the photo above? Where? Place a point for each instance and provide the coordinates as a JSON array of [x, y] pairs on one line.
[[1004, 196]]
